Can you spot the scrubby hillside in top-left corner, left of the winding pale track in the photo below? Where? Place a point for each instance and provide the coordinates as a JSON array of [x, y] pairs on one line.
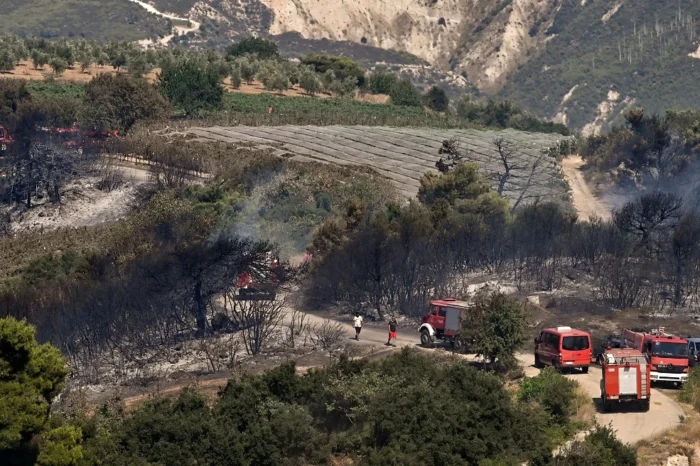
[[91, 19]]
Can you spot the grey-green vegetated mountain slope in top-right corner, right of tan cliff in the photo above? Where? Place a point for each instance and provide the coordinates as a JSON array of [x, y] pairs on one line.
[[637, 48]]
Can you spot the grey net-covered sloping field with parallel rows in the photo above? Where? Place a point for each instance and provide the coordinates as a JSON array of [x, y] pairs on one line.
[[403, 155]]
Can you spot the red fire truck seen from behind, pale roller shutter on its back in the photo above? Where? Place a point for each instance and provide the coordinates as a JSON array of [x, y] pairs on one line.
[[626, 378]]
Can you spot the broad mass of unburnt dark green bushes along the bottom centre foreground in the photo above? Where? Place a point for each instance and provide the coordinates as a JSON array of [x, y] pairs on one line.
[[372, 412]]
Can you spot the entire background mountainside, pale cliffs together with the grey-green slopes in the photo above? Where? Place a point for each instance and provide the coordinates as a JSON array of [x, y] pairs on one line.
[[581, 62]]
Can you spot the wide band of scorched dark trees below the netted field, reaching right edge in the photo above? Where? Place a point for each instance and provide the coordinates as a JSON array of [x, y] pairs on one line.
[[645, 256]]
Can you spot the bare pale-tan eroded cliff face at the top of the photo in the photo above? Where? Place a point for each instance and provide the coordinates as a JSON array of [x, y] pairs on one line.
[[486, 39]]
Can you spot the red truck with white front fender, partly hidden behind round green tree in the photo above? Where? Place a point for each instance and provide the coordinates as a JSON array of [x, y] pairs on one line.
[[442, 323]]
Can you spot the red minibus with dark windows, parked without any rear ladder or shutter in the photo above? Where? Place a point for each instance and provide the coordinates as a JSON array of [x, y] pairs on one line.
[[563, 347]]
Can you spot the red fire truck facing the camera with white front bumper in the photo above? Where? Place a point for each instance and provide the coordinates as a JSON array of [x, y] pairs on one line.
[[667, 354]]
